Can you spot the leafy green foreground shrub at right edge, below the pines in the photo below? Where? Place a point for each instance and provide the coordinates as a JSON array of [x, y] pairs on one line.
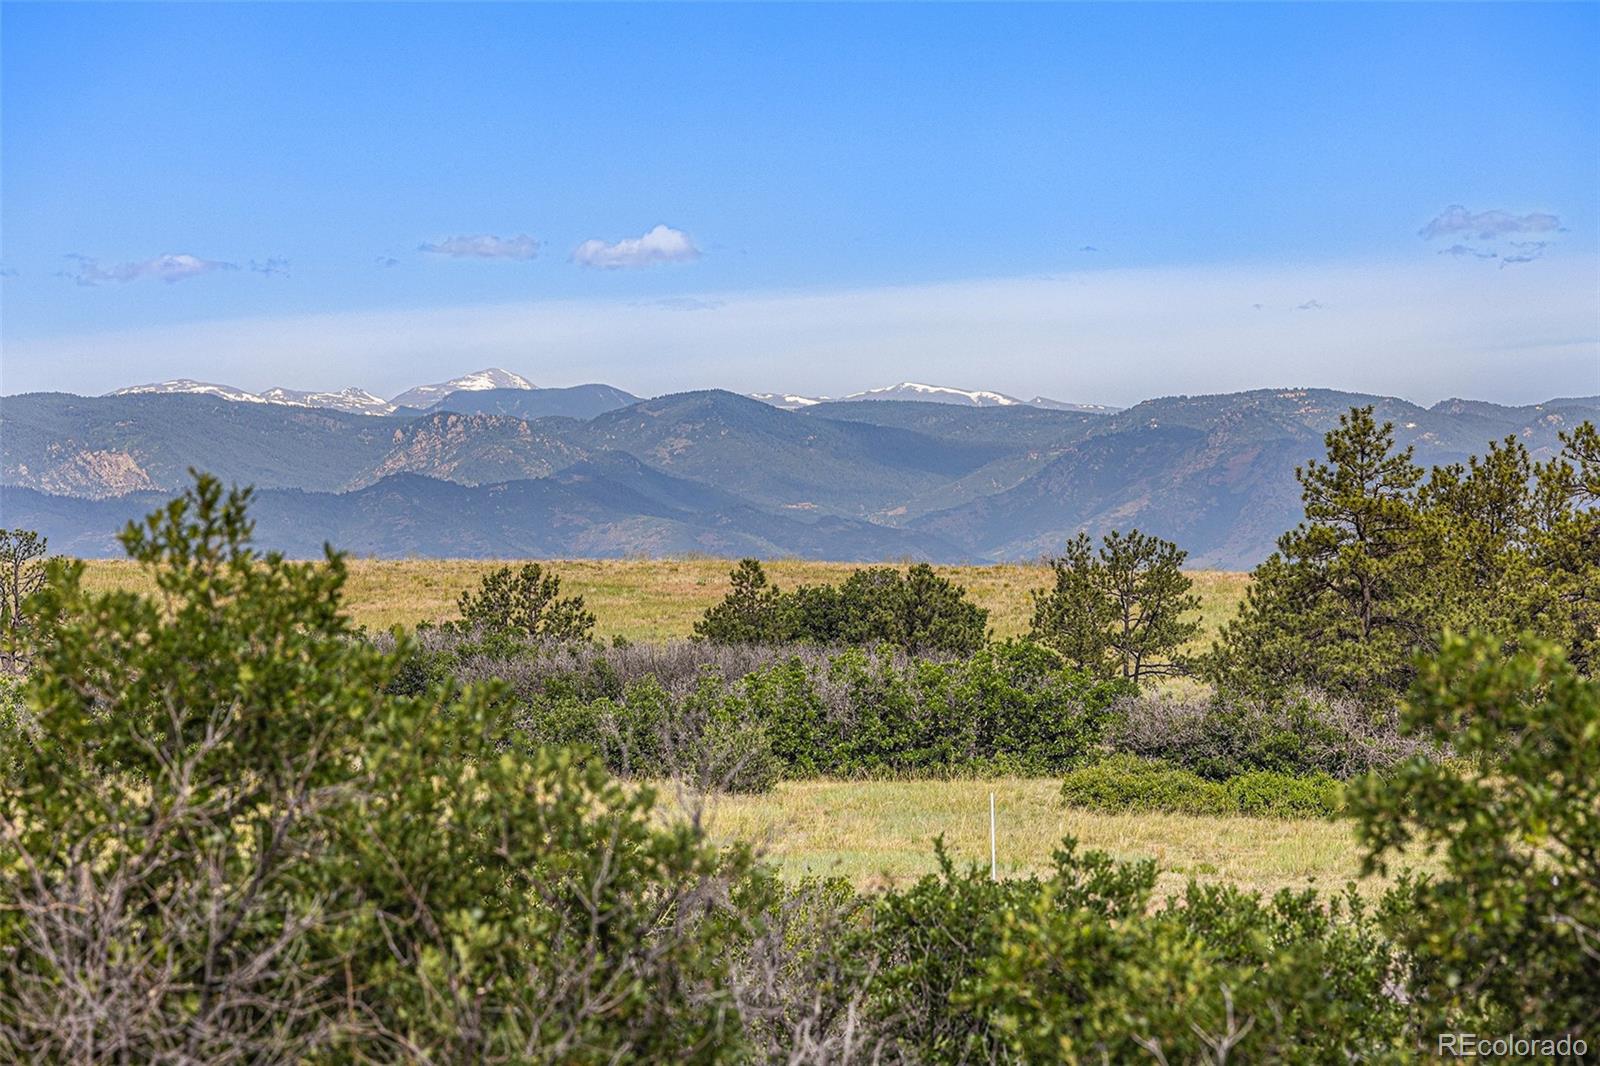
[[1508, 932]]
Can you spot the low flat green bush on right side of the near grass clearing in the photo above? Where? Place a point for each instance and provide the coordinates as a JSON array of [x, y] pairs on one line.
[[1126, 783]]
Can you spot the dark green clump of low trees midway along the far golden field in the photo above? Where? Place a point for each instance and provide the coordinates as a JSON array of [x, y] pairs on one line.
[[916, 611]]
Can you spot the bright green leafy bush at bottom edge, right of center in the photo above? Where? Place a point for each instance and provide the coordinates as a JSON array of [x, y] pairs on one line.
[[1086, 968]]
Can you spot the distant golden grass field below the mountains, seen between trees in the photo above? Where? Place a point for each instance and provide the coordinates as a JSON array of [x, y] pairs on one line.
[[662, 599]]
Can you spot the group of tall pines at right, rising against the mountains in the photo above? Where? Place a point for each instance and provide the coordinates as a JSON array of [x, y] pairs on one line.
[[1386, 564]]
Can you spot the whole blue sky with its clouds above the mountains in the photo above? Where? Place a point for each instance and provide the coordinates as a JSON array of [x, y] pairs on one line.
[[1089, 202]]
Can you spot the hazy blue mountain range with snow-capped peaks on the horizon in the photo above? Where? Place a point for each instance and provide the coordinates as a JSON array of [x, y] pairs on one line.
[[498, 468]]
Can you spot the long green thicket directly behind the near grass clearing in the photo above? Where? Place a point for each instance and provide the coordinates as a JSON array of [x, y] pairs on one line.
[[1009, 708]]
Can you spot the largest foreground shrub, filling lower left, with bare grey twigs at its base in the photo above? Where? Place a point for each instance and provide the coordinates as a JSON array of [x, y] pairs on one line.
[[228, 844]]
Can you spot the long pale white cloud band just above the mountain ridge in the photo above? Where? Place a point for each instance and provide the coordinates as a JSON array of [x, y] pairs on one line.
[[1110, 337]]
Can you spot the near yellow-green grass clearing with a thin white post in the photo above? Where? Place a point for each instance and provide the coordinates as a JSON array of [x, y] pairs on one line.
[[881, 833]]
